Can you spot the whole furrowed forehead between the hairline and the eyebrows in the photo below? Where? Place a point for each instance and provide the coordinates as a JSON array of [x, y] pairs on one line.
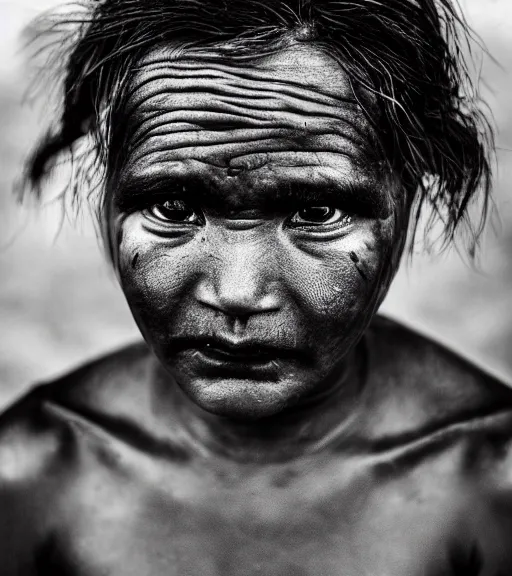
[[291, 115]]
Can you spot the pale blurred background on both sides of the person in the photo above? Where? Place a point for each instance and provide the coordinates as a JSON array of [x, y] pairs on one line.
[[59, 302]]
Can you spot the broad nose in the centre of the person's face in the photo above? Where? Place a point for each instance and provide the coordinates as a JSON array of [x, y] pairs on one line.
[[241, 279]]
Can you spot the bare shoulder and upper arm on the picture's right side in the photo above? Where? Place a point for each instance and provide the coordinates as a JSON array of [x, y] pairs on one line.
[[439, 407]]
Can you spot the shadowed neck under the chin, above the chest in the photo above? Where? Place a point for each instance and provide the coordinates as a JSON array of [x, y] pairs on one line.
[[314, 424]]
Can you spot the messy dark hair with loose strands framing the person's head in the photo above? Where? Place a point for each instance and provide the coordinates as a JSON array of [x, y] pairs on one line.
[[409, 53]]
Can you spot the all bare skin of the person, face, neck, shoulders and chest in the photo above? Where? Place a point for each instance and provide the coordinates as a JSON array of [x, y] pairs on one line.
[[349, 446]]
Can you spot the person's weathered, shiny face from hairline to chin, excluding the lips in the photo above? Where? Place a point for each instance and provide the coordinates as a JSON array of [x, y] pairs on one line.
[[250, 206]]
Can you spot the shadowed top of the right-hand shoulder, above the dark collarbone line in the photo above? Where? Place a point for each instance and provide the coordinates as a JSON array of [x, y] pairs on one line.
[[434, 386]]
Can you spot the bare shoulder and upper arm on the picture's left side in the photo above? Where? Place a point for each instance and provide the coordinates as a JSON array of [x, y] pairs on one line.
[[49, 447]]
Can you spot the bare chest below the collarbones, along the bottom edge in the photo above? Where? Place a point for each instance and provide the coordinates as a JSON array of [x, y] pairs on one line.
[[329, 522]]
